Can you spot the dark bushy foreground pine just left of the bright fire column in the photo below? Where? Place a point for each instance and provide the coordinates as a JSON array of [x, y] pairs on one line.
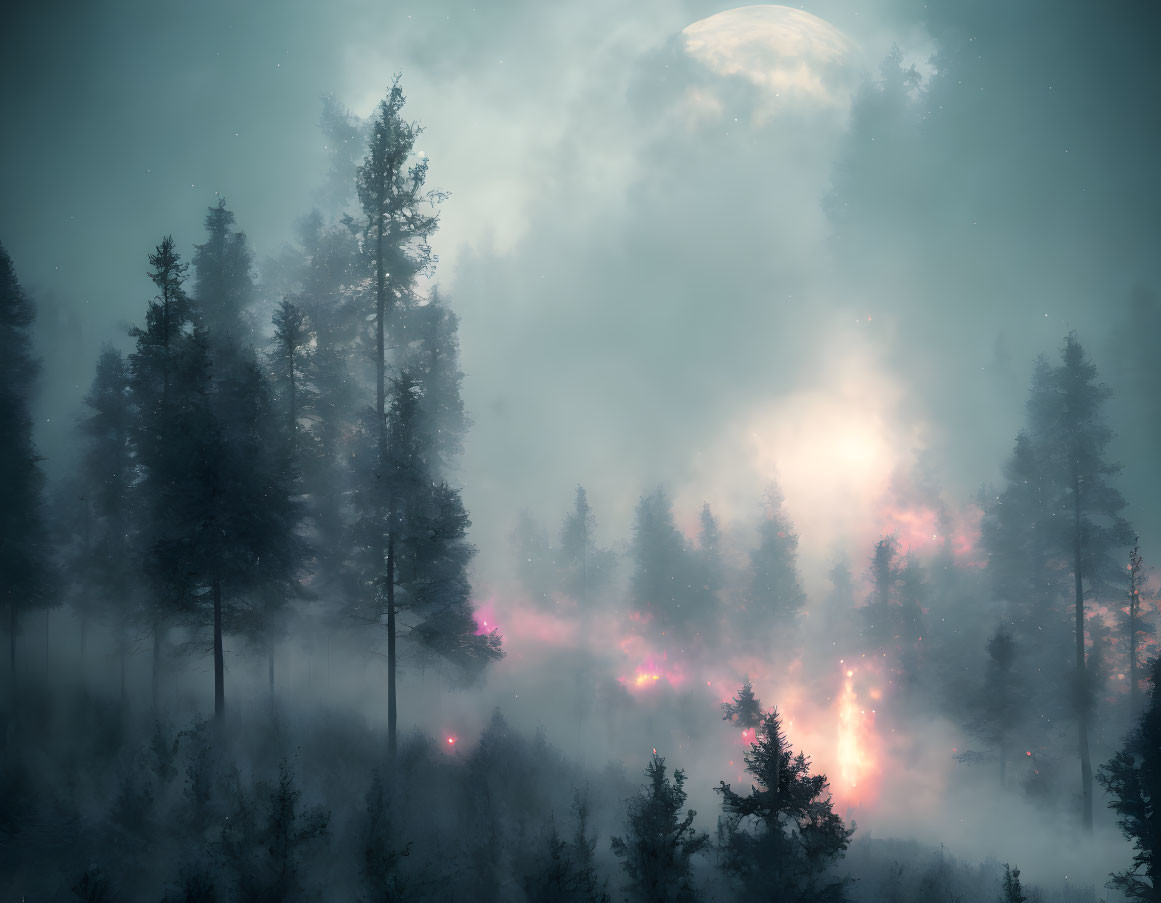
[[783, 840]]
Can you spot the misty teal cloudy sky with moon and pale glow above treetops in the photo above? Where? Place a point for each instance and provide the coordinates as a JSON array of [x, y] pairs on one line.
[[696, 249]]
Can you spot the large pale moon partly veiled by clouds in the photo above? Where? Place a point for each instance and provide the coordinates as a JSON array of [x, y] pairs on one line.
[[795, 57]]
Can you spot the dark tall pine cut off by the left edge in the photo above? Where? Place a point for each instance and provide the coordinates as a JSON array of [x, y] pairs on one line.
[[24, 540]]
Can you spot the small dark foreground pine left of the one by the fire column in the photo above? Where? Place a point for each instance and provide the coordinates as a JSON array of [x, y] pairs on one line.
[[660, 844]]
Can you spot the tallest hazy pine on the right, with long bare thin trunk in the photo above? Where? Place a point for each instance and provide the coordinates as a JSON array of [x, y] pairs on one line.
[[1068, 425]]
